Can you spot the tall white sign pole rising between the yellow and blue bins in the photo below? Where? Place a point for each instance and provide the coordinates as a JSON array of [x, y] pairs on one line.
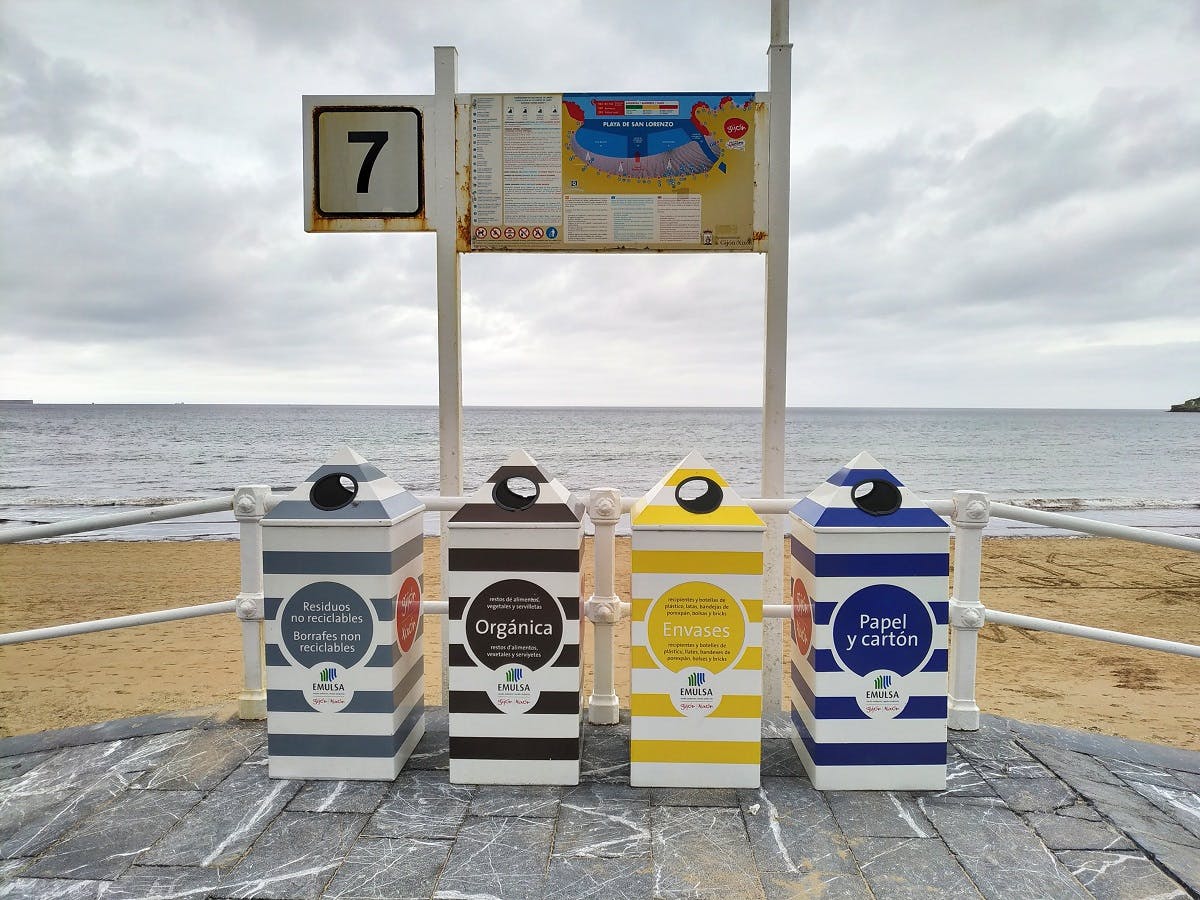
[[775, 373]]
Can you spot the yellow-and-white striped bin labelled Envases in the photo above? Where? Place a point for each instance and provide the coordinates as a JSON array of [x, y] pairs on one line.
[[697, 634]]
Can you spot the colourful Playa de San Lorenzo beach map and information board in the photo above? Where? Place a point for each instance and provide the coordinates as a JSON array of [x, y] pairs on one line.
[[614, 172]]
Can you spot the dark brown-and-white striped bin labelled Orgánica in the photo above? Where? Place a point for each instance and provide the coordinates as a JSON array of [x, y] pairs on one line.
[[514, 631]]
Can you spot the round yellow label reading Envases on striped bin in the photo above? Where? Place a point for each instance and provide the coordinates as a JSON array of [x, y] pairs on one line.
[[697, 625]]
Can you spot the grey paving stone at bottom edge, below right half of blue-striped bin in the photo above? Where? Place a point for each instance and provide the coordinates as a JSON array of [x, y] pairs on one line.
[[902, 868]]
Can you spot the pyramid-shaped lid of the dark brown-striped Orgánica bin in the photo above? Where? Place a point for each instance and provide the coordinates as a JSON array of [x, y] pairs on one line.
[[520, 493]]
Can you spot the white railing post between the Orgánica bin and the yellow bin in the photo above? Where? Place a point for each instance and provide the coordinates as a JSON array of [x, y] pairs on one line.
[[603, 609]]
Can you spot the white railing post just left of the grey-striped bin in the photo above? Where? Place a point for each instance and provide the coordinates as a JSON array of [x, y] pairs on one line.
[[249, 508]]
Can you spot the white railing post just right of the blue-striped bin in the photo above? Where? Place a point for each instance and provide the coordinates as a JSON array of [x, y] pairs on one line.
[[970, 518]]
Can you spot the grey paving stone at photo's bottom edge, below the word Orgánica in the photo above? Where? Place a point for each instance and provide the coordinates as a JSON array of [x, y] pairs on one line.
[[500, 856]]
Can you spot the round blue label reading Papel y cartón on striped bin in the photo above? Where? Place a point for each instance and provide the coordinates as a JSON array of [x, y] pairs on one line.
[[883, 627]]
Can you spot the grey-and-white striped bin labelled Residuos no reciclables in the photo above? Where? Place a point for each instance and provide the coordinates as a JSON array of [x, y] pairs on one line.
[[343, 561]]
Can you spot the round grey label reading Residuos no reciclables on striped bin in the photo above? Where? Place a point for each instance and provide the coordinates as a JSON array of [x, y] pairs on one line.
[[327, 623]]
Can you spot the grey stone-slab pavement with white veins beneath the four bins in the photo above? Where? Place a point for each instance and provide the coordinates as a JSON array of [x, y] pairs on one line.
[[182, 807]]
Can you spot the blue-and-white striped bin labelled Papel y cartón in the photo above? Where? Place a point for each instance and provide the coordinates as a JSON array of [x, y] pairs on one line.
[[869, 568]]
